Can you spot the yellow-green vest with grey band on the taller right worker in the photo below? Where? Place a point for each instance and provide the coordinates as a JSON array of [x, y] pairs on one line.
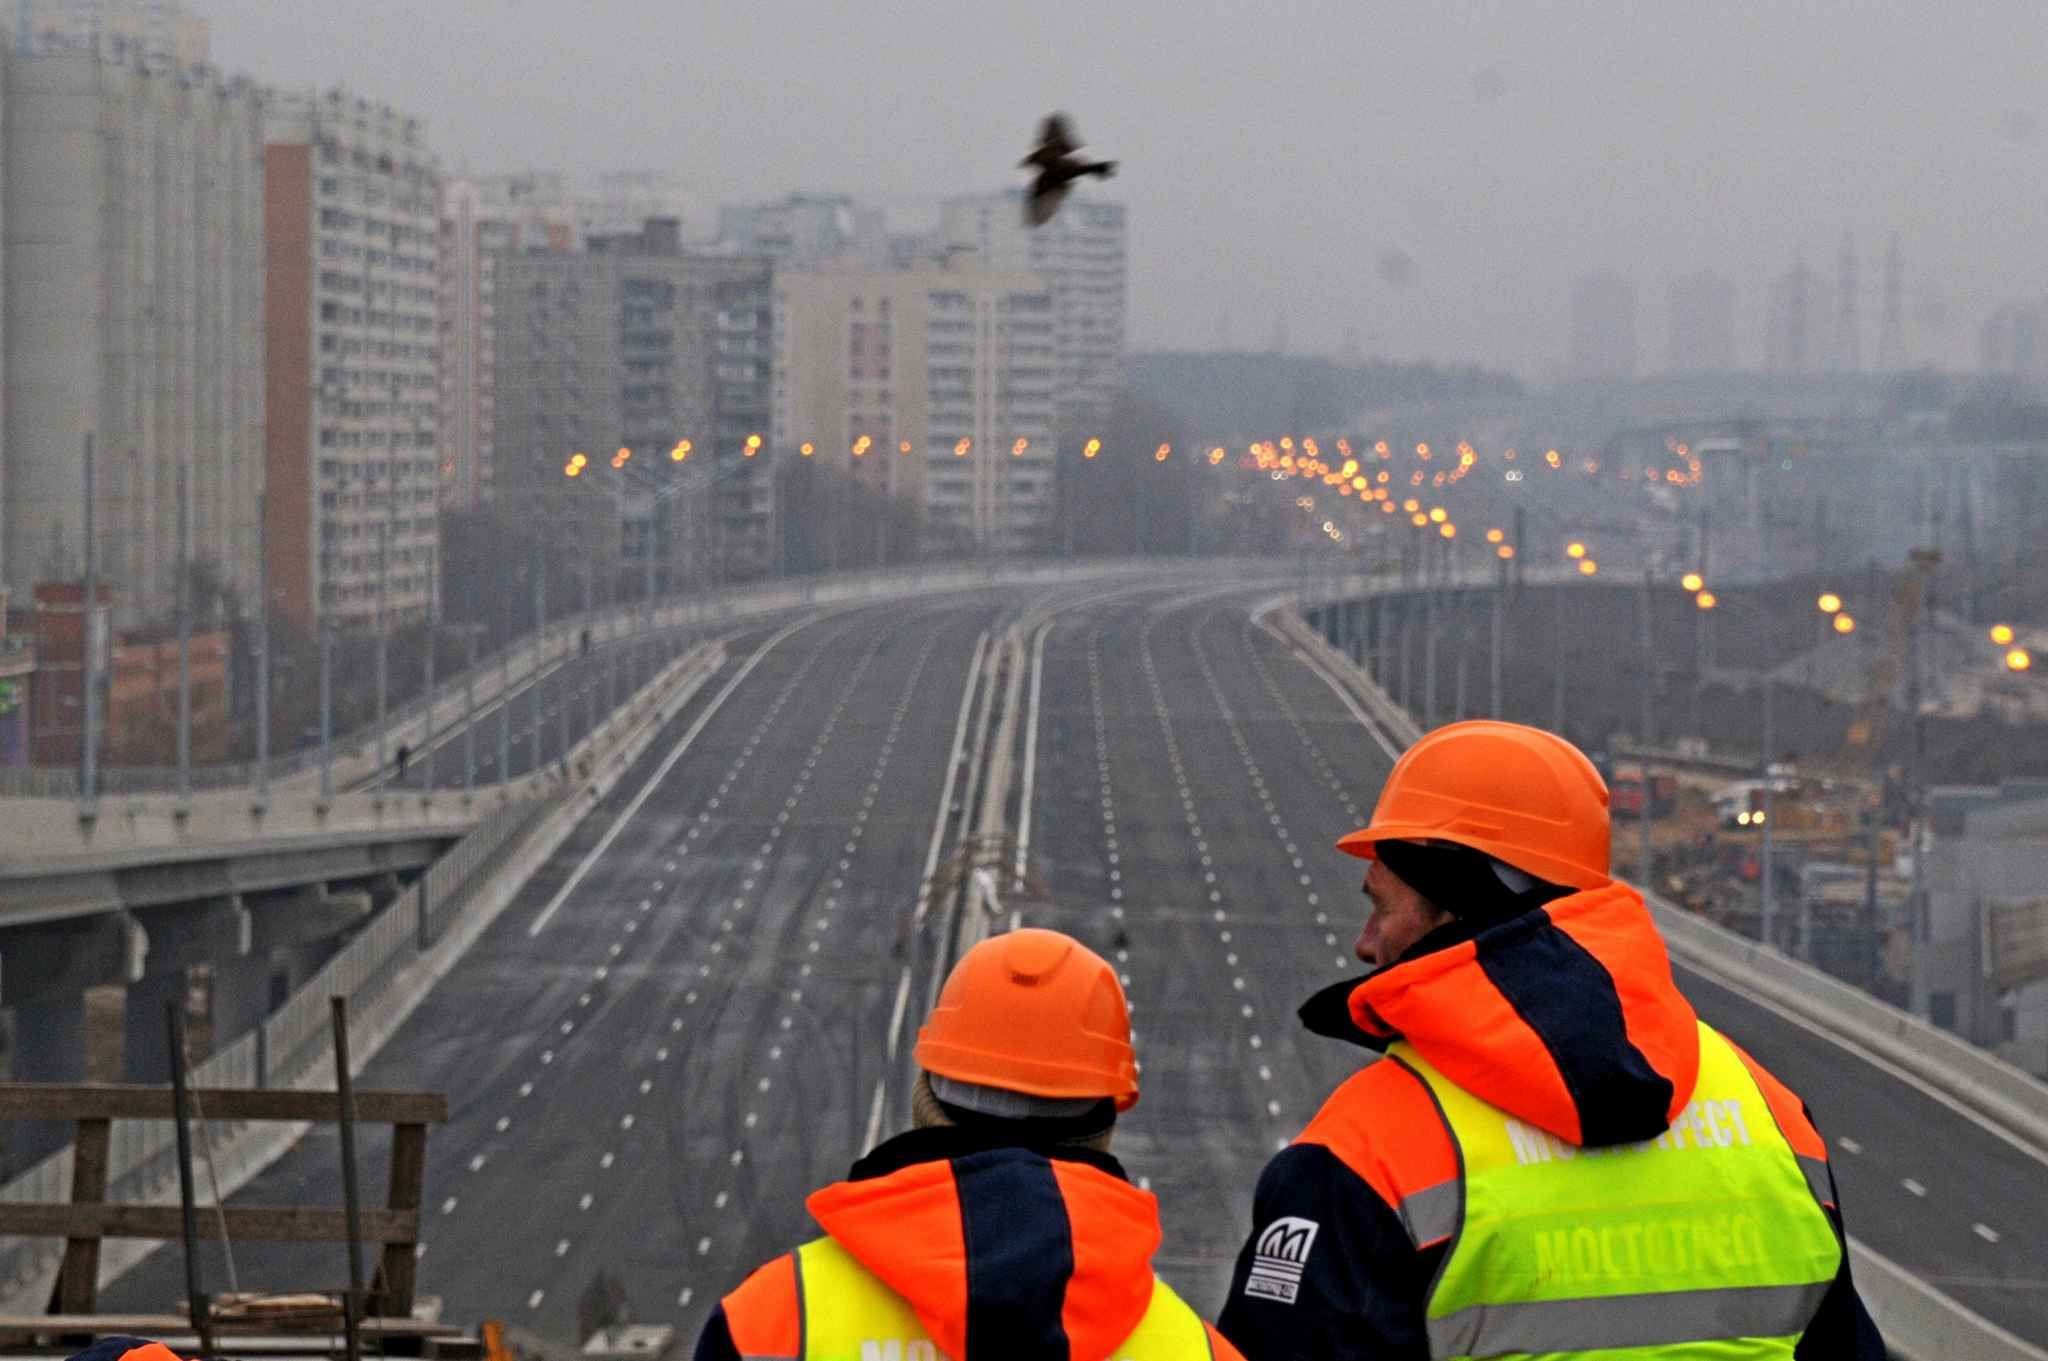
[[1709, 1237]]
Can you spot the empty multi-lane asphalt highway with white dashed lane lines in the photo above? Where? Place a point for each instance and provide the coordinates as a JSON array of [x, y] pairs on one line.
[[699, 1002]]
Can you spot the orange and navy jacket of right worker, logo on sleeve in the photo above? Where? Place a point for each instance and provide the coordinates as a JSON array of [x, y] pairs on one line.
[[1564, 1016]]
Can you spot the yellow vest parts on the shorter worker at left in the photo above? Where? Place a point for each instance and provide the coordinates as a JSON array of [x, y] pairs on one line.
[[849, 1315]]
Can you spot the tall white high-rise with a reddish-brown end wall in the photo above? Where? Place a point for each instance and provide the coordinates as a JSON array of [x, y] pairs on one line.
[[353, 339]]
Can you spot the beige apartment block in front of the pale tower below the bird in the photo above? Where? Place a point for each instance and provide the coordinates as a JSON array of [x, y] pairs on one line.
[[957, 363]]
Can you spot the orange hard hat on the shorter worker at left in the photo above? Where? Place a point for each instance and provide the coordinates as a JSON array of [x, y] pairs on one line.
[[1033, 1012]]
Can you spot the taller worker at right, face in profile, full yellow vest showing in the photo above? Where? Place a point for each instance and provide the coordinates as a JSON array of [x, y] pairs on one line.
[[1439, 1204]]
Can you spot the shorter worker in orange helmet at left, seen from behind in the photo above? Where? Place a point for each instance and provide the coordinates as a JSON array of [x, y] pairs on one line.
[[998, 1225]]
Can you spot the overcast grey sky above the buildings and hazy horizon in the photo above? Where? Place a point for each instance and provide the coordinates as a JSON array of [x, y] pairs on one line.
[[1273, 155]]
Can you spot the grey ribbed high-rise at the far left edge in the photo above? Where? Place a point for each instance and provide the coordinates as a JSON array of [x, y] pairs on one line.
[[134, 281]]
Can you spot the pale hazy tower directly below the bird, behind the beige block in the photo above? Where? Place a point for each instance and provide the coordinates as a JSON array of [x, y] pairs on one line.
[[1080, 257]]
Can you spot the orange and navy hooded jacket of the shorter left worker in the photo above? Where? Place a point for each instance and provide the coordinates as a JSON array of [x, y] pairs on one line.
[[1002, 1252]]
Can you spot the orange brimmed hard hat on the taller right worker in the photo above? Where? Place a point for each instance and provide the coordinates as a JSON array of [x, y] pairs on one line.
[[1517, 793]]
